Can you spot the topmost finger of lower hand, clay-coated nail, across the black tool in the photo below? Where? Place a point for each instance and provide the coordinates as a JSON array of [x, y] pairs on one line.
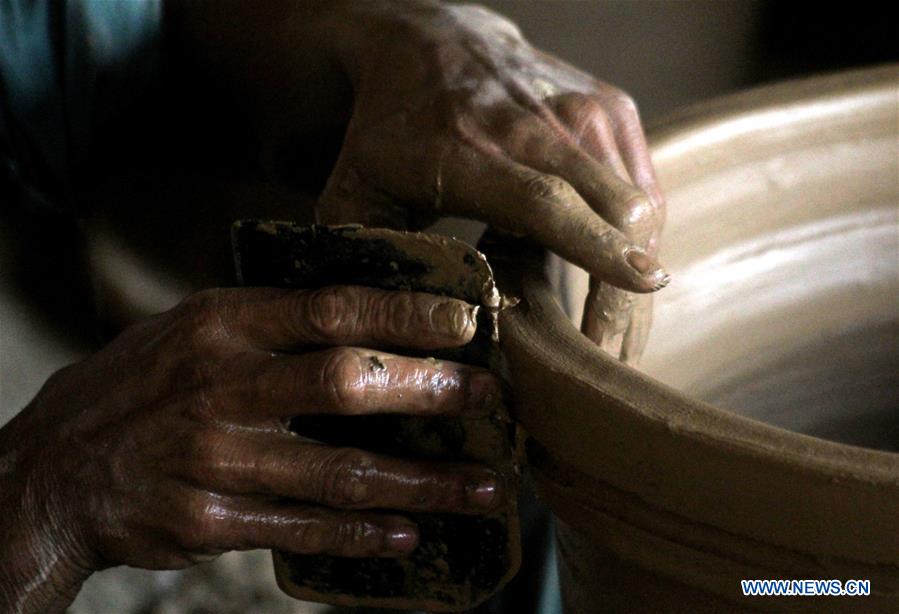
[[277, 319]]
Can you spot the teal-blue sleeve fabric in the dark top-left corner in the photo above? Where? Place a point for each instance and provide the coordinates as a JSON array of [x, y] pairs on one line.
[[66, 68]]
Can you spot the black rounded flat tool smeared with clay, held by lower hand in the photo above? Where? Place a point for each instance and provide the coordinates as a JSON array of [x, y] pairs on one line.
[[461, 560]]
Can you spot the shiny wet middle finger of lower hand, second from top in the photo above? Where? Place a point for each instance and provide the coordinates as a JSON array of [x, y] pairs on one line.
[[354, 381]]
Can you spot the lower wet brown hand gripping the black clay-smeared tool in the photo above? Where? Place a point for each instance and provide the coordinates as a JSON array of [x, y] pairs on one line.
[[168, 446]]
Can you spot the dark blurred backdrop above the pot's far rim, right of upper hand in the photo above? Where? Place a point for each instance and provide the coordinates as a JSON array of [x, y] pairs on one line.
[[671, 53]]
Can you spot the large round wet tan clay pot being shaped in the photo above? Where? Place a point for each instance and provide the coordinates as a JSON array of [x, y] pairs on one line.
[[760, 439]]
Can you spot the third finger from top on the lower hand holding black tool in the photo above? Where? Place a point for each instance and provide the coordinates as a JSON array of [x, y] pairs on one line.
[[350, 478]]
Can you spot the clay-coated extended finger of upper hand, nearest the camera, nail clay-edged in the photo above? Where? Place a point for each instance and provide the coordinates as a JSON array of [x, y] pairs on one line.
[[519, 199]]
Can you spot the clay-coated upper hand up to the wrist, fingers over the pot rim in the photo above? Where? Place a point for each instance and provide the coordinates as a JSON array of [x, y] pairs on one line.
[[455, 114]]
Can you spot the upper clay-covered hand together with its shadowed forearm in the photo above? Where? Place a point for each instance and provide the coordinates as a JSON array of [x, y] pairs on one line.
[[451, 112]]
